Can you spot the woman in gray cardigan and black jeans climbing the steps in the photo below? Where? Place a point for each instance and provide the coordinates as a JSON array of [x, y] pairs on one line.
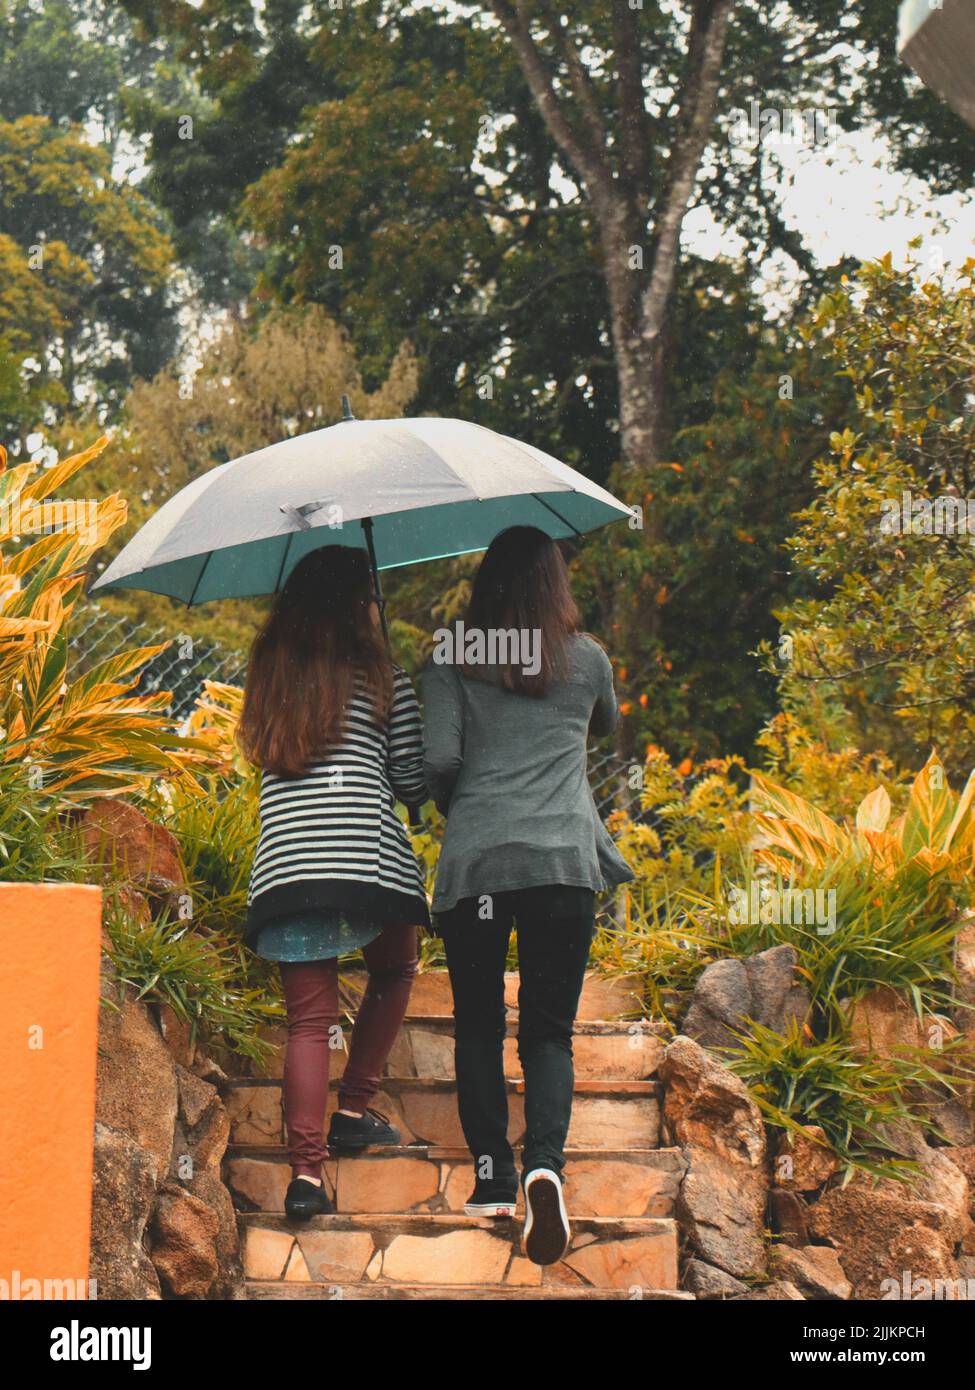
[[511, 698]]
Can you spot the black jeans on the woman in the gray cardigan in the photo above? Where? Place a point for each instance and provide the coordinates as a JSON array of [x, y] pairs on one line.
[[554, 936]]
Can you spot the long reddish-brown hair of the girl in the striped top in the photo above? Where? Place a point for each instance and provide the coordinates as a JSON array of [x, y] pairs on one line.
[[316, 646]]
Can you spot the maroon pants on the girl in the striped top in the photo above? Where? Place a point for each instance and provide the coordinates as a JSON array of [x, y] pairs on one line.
[[311, 992]]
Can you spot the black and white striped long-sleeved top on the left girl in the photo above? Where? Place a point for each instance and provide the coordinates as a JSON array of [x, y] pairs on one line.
[[332, 837]]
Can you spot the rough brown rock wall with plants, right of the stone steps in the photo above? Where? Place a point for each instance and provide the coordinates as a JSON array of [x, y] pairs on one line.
[[775, 1221]]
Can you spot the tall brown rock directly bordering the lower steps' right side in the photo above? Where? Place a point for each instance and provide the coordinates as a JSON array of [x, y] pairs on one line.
[[718, 1127]]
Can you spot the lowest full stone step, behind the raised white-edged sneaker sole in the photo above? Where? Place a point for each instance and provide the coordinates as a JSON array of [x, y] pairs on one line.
[[635, 1254]]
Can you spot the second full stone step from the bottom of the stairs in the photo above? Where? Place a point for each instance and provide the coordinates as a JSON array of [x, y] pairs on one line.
[[415, 1179]]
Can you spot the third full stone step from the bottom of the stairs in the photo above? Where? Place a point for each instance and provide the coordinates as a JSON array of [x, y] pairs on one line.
[[604, 1115]]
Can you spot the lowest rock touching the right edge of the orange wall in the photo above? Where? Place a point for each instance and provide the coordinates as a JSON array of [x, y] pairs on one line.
[[123, 1197]]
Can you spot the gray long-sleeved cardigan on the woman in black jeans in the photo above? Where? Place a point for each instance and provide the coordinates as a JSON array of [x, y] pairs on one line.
[[510, 774]]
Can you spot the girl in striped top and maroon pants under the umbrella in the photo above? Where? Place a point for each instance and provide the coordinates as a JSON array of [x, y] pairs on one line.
[[336, 729]]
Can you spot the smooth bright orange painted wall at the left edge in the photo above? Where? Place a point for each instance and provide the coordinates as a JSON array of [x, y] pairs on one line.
[[51, 939]]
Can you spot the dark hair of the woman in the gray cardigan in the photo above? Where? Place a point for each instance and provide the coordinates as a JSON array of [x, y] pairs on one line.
[[524, 584]]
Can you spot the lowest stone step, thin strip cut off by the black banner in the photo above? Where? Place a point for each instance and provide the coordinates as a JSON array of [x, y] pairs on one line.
[[460, 1293]]
